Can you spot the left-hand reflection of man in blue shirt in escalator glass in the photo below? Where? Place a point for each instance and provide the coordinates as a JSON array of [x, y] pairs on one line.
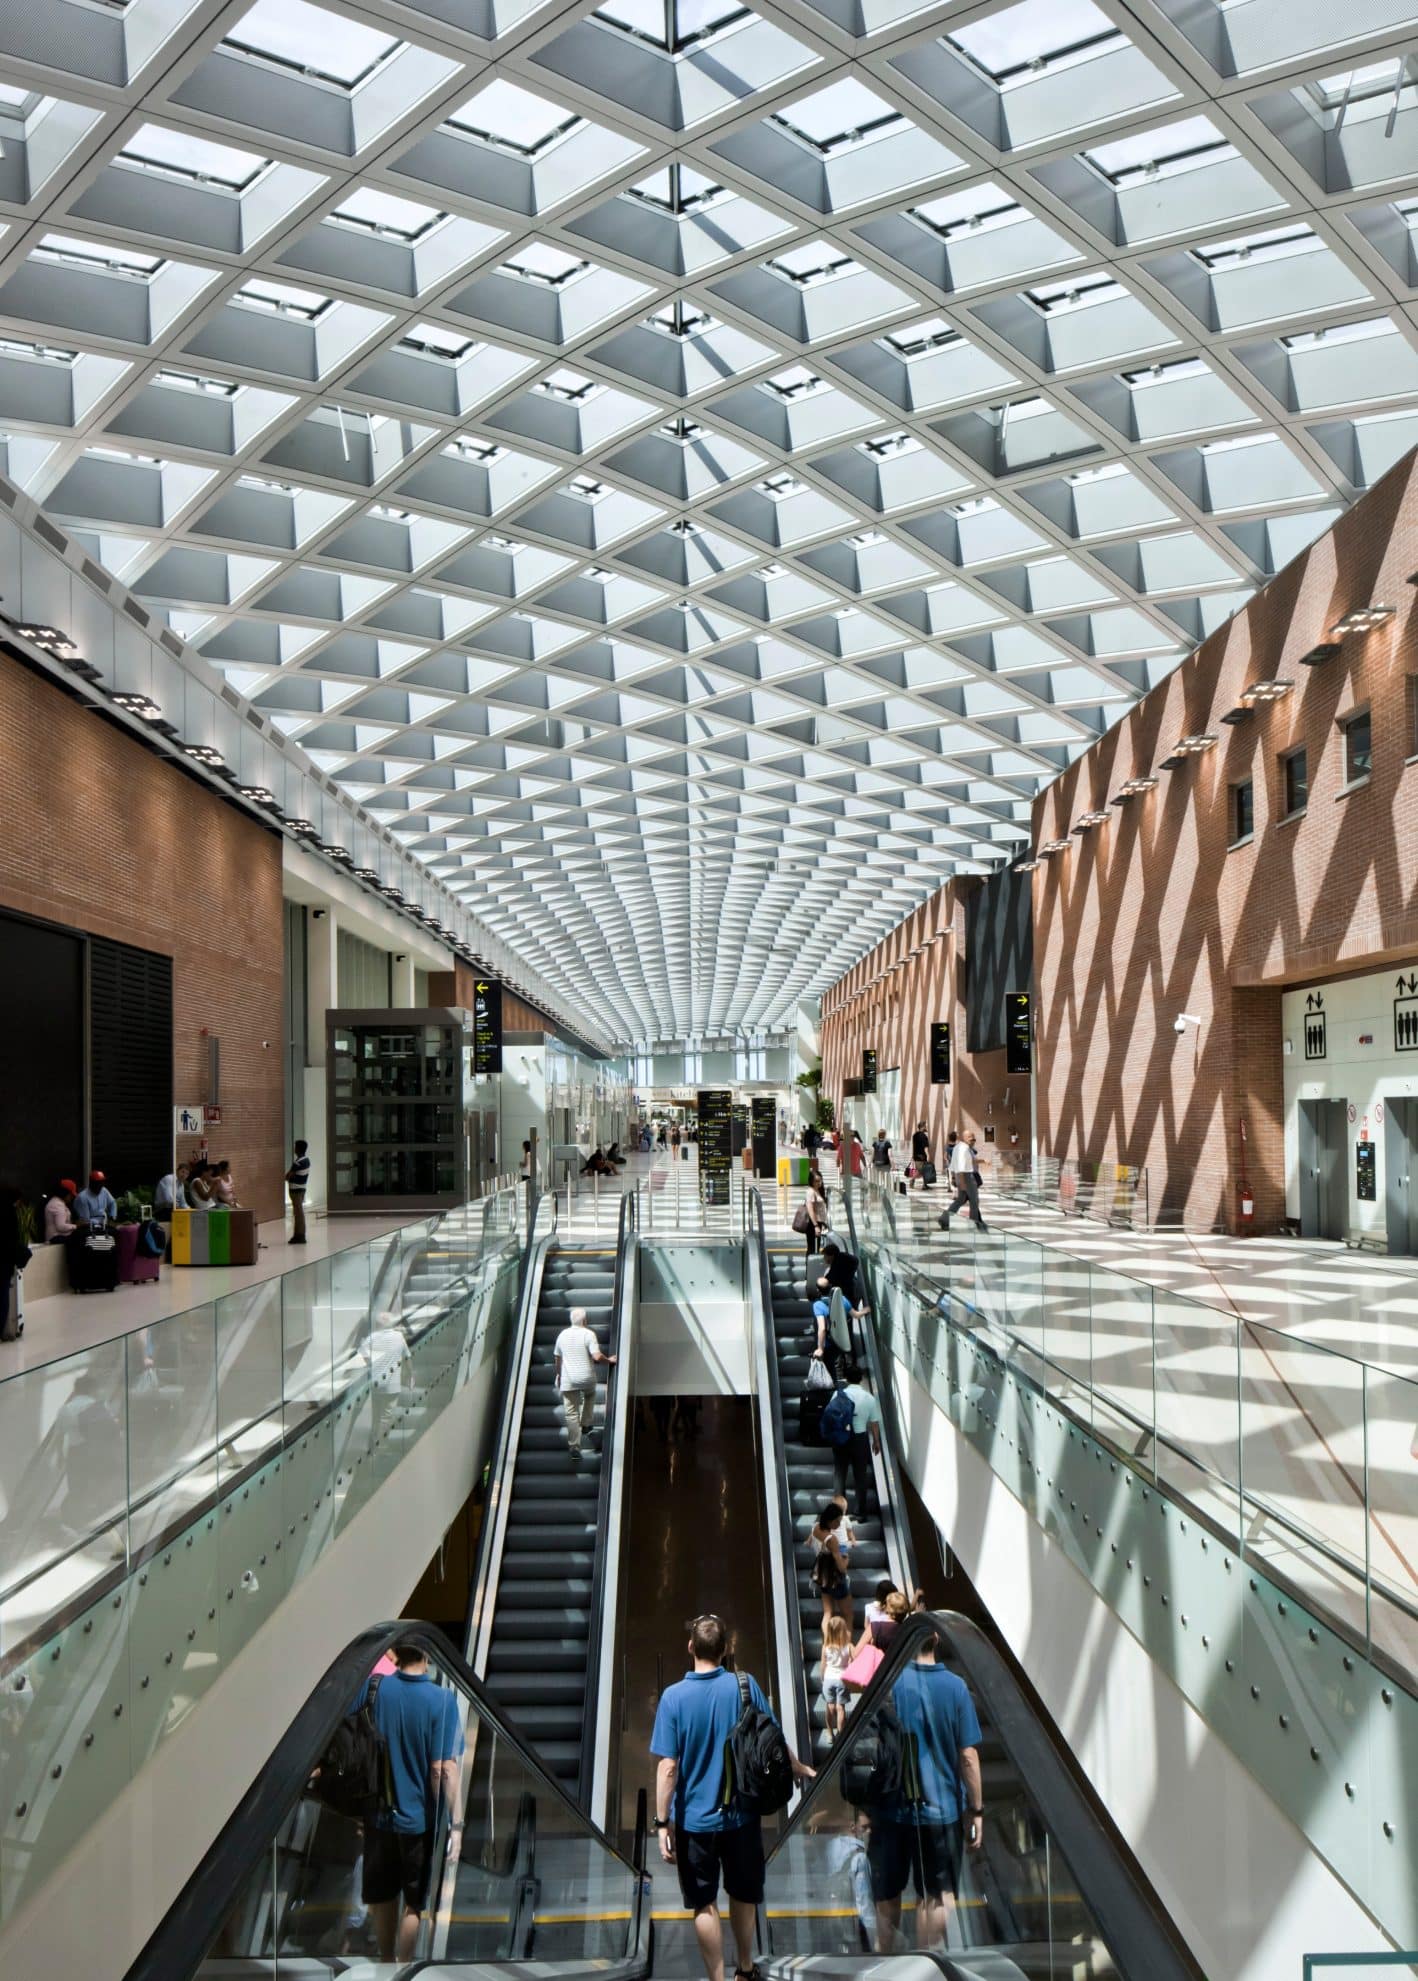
[[425, 1732]]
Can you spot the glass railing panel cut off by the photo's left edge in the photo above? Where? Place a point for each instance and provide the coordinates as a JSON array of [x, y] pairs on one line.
[[64, 1471]]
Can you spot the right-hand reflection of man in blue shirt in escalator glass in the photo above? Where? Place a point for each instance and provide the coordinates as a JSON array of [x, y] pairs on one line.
[[940, 1812]]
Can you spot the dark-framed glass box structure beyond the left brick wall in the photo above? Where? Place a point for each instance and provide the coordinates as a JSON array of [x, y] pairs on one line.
[[397, 1134]]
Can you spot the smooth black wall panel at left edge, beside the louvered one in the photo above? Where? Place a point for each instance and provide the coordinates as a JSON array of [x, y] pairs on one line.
[[41, 1055]]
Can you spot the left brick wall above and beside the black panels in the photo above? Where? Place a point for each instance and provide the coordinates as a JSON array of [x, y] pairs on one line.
[[100, 835]]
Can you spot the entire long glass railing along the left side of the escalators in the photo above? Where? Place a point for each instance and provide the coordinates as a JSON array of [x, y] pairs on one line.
[[161, 1493]]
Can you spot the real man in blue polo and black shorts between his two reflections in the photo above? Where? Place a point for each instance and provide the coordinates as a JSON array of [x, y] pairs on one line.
[[704, 1839]]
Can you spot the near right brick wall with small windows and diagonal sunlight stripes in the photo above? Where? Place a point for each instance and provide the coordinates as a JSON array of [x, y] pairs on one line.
[[1156, 914]]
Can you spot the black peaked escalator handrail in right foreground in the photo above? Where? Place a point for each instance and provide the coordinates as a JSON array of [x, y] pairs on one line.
[[1134, 1927]]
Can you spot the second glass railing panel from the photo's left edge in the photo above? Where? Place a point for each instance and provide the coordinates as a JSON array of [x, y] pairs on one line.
[[171, 1415]]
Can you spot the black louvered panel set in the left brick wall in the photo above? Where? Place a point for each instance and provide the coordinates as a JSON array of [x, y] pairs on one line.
[[130, 1063]]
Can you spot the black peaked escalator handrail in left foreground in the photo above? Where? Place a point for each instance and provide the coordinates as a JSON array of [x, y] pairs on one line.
[[177, 1948]]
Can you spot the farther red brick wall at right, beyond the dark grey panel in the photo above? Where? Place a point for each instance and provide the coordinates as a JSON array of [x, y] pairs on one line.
[[890, 1001]]
